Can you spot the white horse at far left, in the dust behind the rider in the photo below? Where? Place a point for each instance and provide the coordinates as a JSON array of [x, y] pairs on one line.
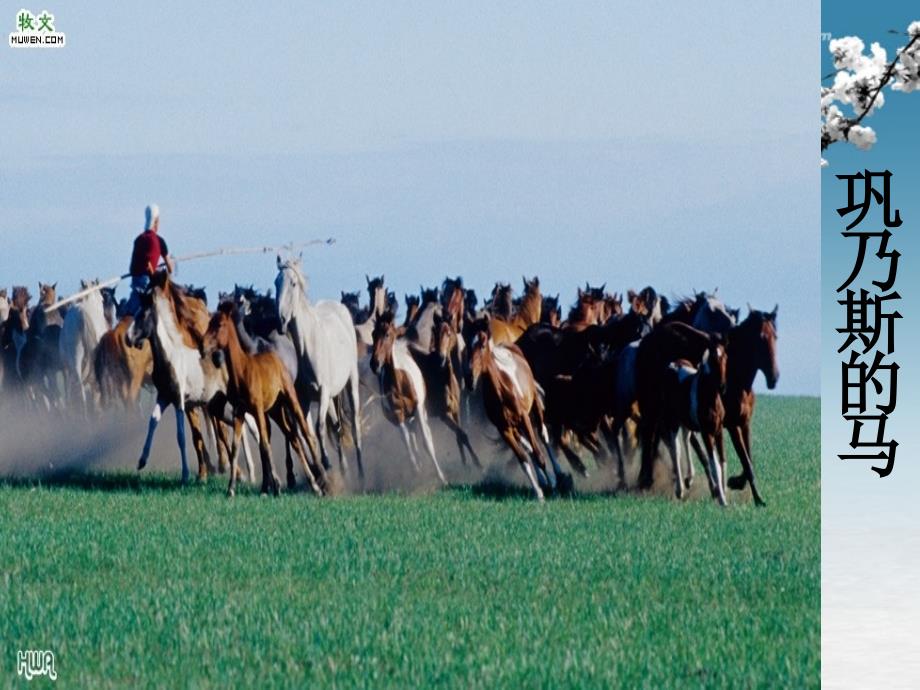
[[84, 326]]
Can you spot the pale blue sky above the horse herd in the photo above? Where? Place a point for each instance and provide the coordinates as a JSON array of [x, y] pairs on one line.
[[628, 143]]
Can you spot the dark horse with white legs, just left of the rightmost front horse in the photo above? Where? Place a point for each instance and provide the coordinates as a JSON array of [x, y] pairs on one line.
[[692, 401]]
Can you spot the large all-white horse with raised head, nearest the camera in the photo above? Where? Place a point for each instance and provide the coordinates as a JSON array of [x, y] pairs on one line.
[[327, 346]]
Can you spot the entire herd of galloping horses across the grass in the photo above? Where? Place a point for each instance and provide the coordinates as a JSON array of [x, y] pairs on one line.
[[611, 374]]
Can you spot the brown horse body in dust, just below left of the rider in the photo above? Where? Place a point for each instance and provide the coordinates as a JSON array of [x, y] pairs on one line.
[[122, 370]]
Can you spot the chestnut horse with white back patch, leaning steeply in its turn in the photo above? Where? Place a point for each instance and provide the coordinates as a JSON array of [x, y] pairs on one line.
[[512, 403]]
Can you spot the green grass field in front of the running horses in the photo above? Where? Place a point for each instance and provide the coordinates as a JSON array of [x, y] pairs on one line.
[[142, 583]]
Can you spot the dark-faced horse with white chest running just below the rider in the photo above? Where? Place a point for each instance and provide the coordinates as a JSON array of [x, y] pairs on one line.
[[175, 324]]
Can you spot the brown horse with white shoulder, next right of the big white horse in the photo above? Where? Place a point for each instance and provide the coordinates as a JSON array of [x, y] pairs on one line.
[[402, 387]]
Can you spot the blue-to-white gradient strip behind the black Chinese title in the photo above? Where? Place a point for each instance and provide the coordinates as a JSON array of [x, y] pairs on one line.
[[870, 534]]
